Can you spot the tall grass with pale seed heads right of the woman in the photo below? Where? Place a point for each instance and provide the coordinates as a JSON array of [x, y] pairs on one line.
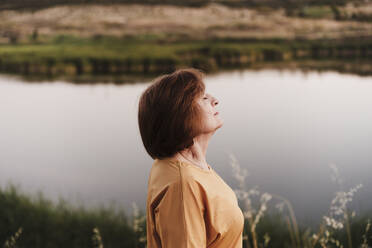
[[335, 230]]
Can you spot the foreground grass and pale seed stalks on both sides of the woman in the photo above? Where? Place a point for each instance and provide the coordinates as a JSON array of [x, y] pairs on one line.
[[26, 222]]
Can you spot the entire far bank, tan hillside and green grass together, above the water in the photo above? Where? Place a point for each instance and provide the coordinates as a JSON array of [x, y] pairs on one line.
[[123, 42]]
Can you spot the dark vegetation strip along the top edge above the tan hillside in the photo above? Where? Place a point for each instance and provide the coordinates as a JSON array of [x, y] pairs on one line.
[[300, 8]]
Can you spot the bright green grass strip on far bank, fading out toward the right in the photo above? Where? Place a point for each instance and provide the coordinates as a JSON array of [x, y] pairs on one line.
[[115, 48]]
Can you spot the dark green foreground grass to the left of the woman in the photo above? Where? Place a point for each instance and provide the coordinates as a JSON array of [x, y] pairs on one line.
[[49, 225]]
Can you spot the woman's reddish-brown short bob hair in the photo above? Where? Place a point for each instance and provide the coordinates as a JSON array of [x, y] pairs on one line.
[[168, 114]]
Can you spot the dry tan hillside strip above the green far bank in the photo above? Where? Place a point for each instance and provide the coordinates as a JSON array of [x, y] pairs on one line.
[[210, 21]]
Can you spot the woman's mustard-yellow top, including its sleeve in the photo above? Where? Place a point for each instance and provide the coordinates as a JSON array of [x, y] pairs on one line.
[[191, 207]]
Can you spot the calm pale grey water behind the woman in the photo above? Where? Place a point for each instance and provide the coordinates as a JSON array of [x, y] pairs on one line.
[[81, 142]]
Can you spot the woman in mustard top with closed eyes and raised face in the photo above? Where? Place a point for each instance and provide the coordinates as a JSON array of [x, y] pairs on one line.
[[188, 204]]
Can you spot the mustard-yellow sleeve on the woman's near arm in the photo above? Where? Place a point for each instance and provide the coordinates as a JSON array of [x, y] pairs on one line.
[[179, 217]]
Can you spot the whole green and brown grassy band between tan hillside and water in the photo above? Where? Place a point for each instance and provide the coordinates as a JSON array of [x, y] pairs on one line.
[[71, 56]]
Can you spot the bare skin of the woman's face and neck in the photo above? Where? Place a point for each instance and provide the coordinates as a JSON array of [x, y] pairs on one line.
[[196, 154]]
